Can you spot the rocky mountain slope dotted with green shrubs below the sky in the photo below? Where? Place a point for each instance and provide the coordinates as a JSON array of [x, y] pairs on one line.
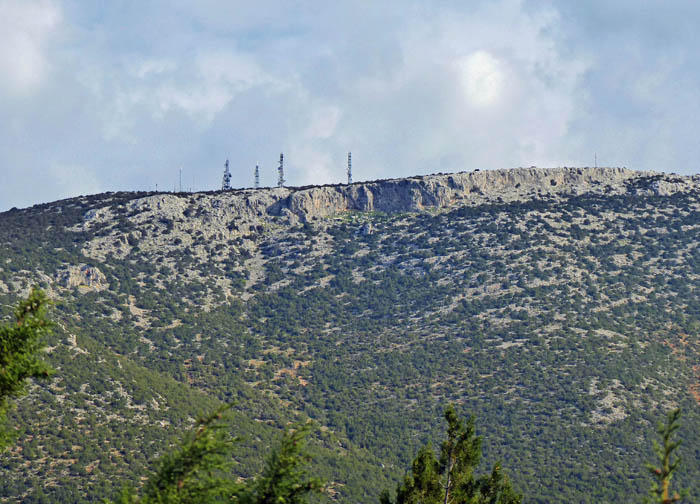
[[559, 306]]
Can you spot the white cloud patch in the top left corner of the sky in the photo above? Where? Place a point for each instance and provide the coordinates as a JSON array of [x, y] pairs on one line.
[[26, 27]]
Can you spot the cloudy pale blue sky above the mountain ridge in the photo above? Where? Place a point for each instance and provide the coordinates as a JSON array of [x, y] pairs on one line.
[[126, 95]]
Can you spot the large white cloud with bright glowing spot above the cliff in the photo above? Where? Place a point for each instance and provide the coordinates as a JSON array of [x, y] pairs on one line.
[[481, 86]]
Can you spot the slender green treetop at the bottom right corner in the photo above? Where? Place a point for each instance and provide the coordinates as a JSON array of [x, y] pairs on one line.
[[661, 487]]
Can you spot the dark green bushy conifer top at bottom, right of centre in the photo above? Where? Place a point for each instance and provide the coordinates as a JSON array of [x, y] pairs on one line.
[[451, 479]]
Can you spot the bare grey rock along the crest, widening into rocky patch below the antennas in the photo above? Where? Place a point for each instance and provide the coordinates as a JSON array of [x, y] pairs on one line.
[[236, 220]]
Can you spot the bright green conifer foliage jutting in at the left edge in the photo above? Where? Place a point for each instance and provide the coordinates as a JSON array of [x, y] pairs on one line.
[[20, 346]]
